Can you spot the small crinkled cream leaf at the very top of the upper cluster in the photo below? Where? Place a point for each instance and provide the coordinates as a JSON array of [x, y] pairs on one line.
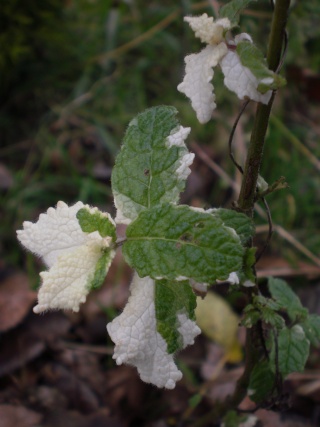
[[206, 29]]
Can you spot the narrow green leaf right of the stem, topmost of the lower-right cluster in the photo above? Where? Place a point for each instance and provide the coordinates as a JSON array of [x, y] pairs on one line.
[[286, 299]]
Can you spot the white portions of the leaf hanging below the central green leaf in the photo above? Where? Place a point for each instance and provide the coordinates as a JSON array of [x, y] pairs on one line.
[[137, 341]]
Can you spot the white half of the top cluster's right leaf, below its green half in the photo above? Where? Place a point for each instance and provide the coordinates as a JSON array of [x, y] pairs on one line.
[[240, 80]]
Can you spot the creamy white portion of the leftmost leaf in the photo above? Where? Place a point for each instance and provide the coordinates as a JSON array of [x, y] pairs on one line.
[[72, 255]]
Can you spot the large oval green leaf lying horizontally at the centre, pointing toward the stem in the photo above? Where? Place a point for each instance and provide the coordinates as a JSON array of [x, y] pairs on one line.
[[171, 241]]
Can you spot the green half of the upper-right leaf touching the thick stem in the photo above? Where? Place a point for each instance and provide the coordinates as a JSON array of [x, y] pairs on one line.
[[252, 58]]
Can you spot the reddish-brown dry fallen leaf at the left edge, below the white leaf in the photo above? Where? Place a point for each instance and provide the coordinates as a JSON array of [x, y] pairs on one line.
[[16, 298]]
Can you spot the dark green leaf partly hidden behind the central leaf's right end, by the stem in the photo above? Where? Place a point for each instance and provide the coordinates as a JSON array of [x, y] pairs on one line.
[[241, 223]]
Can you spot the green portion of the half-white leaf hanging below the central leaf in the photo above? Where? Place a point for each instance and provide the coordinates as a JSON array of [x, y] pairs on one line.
[[172, 298]]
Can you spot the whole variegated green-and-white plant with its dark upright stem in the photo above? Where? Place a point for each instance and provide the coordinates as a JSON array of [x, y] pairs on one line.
[[174, 248]]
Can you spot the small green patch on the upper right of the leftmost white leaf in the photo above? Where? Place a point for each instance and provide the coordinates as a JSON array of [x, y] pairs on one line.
[[90, 222]]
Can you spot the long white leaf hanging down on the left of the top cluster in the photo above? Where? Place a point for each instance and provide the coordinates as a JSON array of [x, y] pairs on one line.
[[197, 85]]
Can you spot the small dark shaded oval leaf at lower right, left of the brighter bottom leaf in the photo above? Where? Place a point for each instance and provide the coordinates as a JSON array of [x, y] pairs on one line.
[[262, 381]]
